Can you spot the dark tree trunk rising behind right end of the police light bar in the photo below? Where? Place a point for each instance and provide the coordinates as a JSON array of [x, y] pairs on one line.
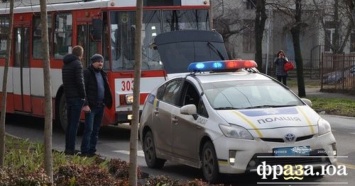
[[260, 19]]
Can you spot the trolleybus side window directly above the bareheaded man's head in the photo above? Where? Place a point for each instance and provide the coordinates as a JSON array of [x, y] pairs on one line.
[[62, 35]]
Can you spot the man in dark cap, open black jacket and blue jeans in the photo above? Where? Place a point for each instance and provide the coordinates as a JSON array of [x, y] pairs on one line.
[[98, 96]]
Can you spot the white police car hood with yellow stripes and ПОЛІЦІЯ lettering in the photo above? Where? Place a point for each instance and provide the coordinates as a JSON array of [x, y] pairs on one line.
[[273, 118]]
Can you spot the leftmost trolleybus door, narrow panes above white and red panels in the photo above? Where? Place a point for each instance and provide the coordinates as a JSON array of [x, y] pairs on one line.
[[21, 72]]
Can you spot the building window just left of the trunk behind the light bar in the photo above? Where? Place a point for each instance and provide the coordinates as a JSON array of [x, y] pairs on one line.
[[249, 36]]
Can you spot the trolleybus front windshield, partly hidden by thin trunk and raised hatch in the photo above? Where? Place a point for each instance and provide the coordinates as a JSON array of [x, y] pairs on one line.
[[155, 22]]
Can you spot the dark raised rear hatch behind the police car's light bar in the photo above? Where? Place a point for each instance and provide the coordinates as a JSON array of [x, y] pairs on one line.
[[180, 48]]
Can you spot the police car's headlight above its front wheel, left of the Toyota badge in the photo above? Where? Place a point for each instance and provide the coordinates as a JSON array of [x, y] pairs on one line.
[[235, 131]]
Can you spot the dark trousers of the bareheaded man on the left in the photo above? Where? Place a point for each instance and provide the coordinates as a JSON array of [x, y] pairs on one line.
[[74, 106]]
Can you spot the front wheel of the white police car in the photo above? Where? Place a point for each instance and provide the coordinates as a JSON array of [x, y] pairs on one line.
[[209, 163]]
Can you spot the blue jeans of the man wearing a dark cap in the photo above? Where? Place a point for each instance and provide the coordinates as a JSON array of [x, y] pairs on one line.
[[93, 121]]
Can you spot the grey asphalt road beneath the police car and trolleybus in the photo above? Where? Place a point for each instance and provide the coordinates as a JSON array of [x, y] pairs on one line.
[[114, 143]]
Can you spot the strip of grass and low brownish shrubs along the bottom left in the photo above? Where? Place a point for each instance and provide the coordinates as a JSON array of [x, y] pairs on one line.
[[24, 167]]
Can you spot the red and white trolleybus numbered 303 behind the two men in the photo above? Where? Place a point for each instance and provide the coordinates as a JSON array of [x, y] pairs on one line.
[[100, 26]]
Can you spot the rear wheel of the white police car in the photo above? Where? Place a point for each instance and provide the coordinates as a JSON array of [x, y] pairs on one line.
[[149, 152]]
